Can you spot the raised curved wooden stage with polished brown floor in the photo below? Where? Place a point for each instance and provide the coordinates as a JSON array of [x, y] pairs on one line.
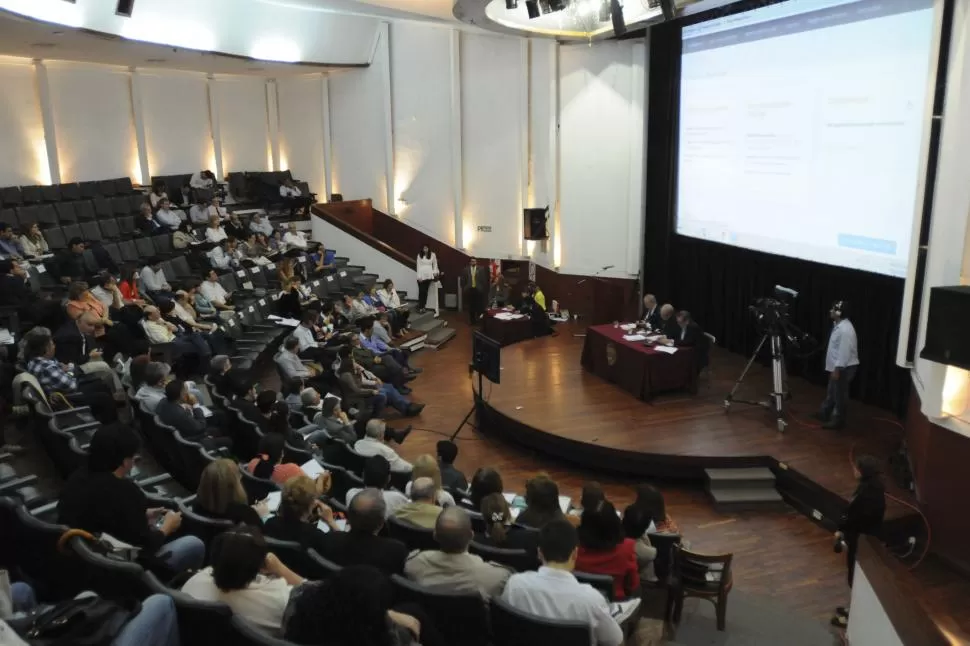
[[547, 402]]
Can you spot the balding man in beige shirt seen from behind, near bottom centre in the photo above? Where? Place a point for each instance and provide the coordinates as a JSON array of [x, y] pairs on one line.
[[451, 568]]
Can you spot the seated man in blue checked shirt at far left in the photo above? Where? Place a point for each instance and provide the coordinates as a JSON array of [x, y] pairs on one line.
[[57, 377]]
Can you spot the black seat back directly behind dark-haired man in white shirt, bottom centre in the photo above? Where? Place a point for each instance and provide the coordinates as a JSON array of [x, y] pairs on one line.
[[513, 627]]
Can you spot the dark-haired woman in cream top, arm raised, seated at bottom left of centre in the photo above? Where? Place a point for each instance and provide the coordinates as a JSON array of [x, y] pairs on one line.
[[244, 575]]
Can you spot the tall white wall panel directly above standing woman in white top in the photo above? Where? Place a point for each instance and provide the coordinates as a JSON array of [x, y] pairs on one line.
[[420, 59]]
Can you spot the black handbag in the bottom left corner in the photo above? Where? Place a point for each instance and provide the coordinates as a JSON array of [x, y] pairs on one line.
[[86, 621]]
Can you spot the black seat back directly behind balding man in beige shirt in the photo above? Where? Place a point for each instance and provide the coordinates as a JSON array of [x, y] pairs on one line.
[[460, 618]]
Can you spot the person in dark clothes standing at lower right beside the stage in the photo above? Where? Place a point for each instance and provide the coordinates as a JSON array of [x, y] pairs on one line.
[[863, 516]]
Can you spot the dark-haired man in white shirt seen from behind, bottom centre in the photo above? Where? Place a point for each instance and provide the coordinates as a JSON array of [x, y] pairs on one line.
[[554, 593]]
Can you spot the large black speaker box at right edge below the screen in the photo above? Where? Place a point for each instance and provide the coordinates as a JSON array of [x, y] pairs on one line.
[[947, 341]]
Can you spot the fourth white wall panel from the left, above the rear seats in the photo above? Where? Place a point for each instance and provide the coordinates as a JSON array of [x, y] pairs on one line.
[[241, 102]]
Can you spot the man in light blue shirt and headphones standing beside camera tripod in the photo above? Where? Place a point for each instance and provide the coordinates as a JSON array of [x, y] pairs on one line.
[[841, 362]]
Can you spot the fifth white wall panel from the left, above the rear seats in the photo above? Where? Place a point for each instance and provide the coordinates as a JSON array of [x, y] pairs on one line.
[[300, 100]]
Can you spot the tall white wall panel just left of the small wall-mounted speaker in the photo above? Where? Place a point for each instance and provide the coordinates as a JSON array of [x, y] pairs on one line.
[[493, 80]]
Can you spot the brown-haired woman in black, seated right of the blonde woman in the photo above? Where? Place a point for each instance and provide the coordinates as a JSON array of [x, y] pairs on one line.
[[299, 515]]
